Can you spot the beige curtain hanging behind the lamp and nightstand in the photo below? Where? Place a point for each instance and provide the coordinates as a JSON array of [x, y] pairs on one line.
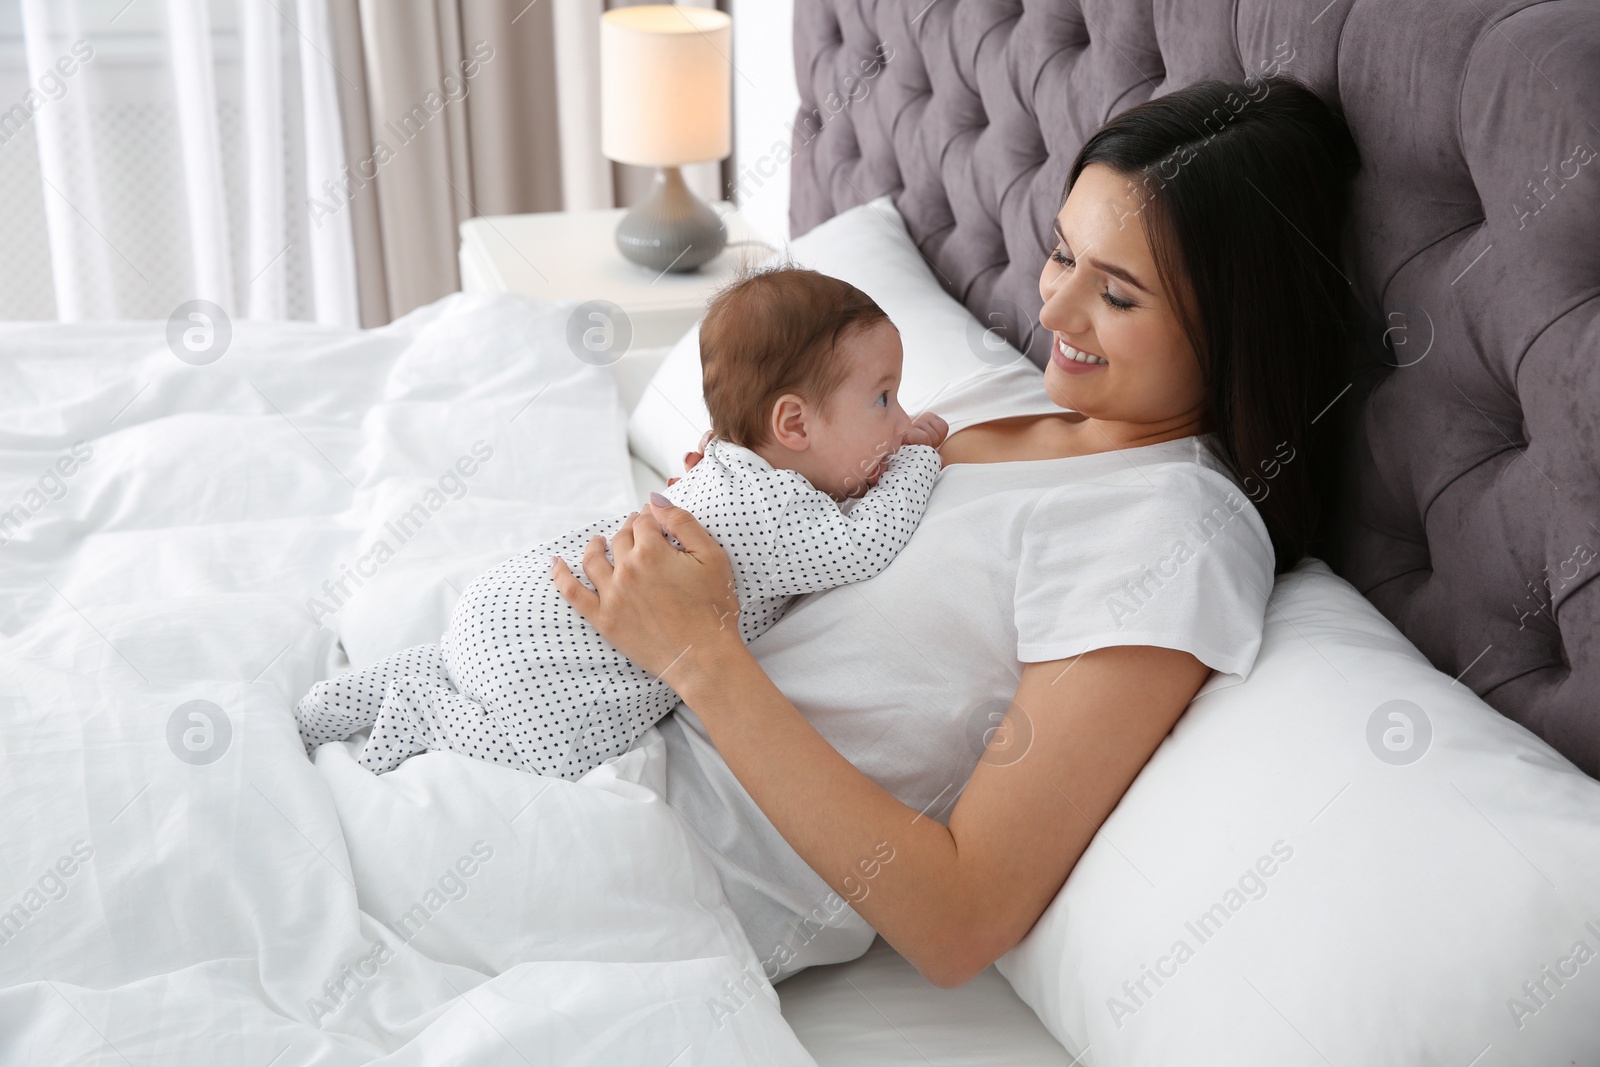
[[462, 108]]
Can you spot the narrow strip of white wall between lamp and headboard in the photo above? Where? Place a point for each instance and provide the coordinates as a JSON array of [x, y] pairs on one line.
[[766, 100]]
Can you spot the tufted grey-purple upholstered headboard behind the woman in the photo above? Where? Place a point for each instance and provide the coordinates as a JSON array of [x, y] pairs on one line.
[[1474, 510]]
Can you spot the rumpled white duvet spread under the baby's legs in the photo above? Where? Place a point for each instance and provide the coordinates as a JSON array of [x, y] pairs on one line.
[[182, 551]]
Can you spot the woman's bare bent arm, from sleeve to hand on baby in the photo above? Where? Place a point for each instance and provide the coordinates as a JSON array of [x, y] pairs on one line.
[[951, 900]]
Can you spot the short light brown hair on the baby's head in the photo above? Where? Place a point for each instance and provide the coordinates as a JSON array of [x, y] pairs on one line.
[[774, 332]]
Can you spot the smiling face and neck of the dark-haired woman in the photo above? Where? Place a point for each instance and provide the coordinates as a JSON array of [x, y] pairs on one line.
[[1105, 305]]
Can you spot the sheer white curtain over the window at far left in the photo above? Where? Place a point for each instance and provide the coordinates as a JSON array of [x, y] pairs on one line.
[[174, 146]]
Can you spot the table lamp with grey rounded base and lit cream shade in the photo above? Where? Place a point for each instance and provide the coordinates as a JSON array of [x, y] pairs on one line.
[[665, 102]]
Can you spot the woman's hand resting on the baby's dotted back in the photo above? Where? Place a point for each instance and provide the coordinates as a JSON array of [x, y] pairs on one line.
[[662, 607]]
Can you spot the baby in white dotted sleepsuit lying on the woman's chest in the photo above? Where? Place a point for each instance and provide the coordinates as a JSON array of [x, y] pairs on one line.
[[814, 478]]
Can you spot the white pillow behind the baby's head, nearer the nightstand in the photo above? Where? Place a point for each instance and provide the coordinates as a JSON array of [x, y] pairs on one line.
[[868, 247]]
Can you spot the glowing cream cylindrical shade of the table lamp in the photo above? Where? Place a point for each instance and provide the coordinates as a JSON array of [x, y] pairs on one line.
[[666, 86]]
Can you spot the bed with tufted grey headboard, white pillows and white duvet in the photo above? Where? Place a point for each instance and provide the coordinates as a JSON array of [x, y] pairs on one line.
[[190, 541]]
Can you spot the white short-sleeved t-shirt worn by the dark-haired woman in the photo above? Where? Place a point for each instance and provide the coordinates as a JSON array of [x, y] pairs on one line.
[[906, 674]]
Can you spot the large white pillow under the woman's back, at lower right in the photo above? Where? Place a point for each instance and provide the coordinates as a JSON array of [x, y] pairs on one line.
[[1364, 909]]
